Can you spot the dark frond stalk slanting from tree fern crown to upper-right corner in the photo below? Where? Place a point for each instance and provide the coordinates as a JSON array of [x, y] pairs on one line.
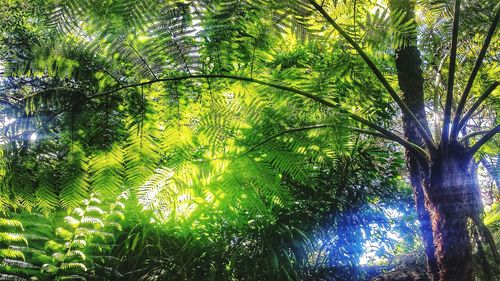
[[463, 99]]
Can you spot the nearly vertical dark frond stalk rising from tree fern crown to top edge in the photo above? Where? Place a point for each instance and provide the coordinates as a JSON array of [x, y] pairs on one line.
[[445, 134]]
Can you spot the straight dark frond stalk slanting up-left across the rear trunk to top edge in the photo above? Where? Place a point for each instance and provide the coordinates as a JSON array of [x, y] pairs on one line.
[[423, 130]]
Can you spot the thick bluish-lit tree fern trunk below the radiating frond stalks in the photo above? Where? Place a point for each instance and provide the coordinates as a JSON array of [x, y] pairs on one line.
[[450, 199]]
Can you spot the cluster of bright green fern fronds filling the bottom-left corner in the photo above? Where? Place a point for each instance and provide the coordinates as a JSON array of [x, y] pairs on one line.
[[63, 247]]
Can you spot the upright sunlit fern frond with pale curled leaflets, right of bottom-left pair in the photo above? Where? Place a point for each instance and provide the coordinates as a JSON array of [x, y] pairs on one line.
[[82, 245]]
